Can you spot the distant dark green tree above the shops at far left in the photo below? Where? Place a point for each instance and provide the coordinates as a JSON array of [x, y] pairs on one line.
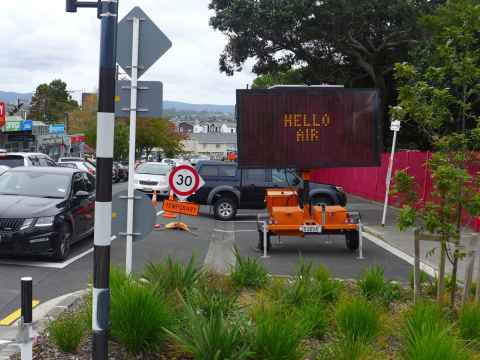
[[51, 102]]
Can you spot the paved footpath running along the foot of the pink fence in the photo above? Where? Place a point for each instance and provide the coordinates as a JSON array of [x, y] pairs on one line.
[[401, 243]]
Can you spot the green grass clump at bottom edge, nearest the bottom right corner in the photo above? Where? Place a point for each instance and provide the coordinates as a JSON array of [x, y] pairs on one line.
[[427, 336]]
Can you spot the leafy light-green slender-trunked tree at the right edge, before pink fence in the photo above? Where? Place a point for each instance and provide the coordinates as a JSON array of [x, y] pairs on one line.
[[439, 93]]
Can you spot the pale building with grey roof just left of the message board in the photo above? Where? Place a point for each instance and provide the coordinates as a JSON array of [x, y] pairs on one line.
[[213, 145]]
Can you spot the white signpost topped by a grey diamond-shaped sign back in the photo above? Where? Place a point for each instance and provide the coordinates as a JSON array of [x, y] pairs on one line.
[[140, 44]]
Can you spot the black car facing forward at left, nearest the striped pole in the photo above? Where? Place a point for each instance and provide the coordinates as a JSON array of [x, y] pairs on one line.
[[44, 210]]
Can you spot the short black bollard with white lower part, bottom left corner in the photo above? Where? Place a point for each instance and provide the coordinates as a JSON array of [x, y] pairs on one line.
[[25, 327]]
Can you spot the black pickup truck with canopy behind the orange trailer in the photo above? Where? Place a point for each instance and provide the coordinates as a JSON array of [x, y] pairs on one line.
[[228, 188]]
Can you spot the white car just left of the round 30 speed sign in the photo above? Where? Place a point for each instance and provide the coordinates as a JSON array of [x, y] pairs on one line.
[[152, 176]]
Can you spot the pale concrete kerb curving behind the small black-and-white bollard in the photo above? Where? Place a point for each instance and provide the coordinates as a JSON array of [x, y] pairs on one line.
[[43, 314]]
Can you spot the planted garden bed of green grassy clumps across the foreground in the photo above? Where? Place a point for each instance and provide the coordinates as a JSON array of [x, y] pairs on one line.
[[178, 312]]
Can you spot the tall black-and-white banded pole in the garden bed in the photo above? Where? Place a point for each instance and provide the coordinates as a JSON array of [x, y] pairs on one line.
[[108, 14]]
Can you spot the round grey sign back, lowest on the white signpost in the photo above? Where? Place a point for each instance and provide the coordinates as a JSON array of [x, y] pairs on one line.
[[144, 215]]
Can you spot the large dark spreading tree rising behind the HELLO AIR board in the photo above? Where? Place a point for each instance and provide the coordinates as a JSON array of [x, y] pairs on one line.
[[350, 42]]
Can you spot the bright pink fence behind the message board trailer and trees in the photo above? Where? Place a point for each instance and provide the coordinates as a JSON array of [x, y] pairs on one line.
[[370, 183]]
